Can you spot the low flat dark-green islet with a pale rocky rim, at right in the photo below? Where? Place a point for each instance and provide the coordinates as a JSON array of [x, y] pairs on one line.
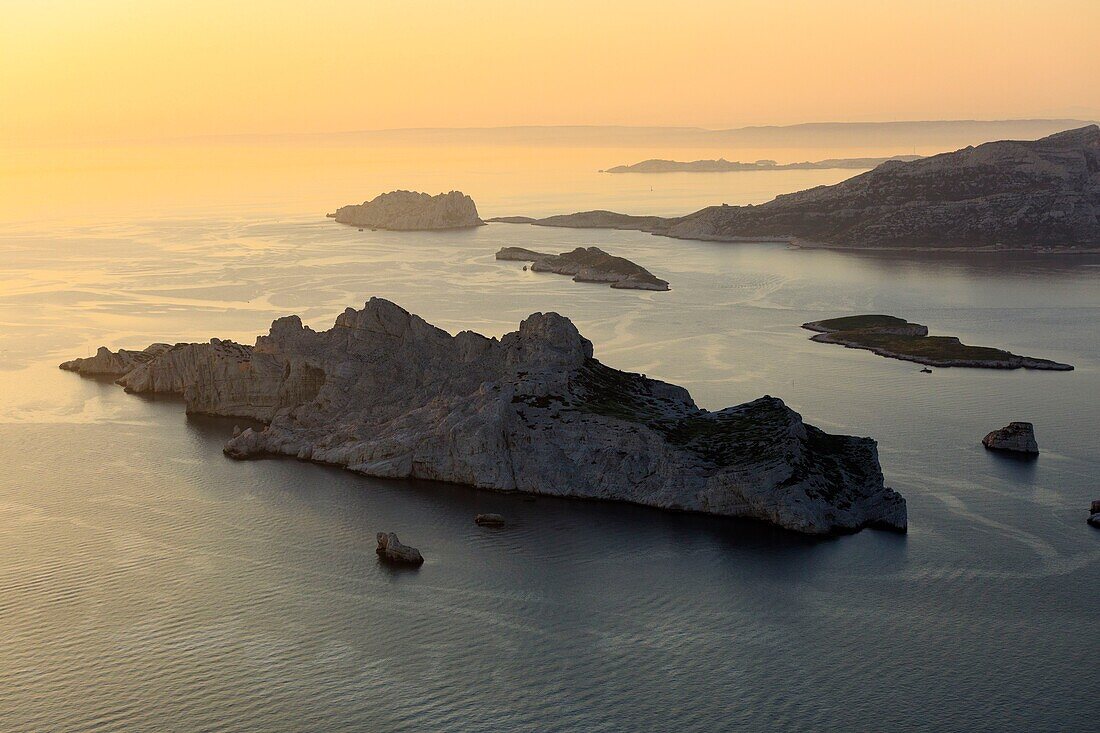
[[897, 338]]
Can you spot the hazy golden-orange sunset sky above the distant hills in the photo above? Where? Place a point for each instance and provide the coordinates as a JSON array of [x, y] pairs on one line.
[[127, 70]]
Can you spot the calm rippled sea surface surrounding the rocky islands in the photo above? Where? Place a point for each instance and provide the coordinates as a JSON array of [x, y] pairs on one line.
[[149, 584]]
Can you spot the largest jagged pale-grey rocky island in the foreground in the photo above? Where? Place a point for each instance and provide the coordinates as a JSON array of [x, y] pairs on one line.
[[387, 395]]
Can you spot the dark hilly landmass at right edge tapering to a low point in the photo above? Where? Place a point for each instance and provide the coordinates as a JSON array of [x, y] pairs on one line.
[[1026, 195]]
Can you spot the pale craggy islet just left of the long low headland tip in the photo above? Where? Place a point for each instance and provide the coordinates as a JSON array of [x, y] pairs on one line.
[[406, 211]]
